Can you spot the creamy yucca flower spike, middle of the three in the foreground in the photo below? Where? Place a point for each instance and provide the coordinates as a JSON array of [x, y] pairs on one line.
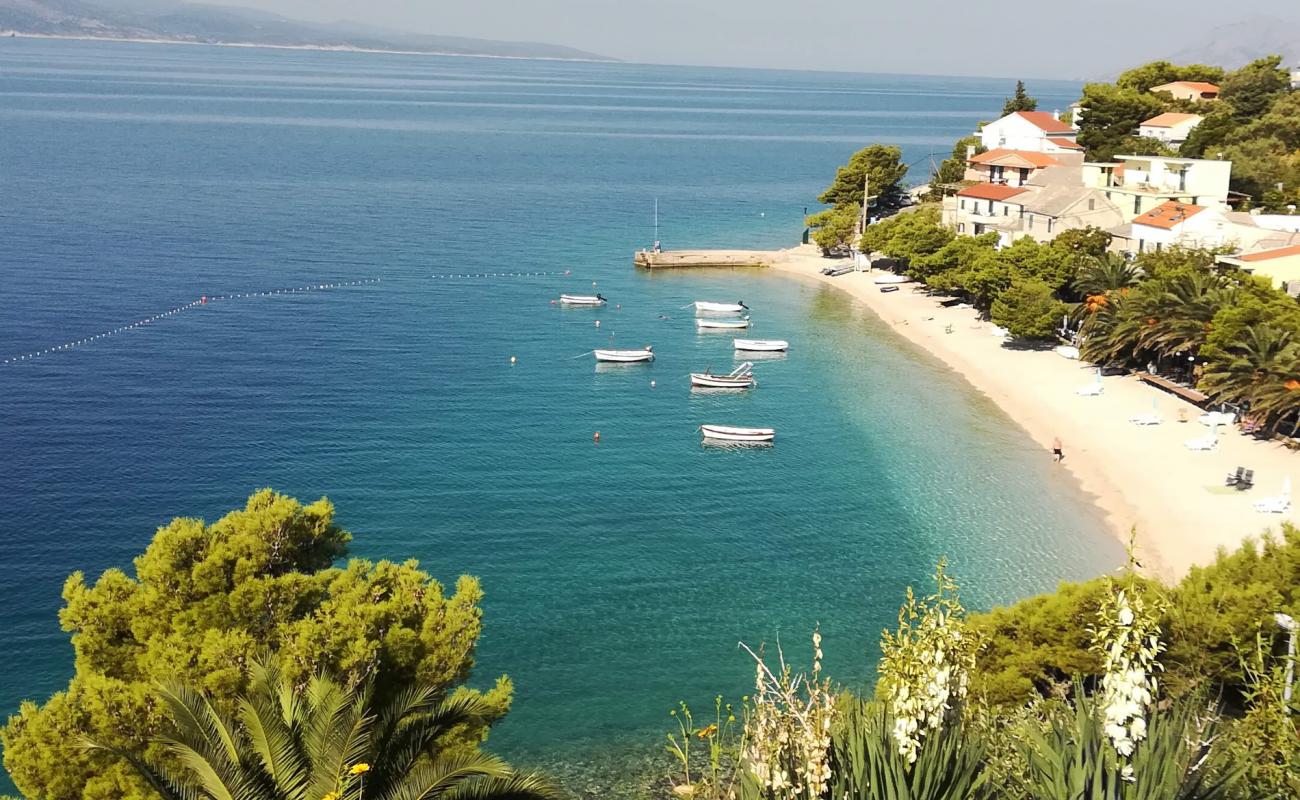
[[926, 665]]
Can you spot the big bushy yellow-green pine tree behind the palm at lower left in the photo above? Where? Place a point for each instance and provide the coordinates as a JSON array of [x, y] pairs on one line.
[[205, 600]]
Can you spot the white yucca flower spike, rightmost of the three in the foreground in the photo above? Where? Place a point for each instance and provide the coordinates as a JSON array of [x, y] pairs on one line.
[[1130, 645]]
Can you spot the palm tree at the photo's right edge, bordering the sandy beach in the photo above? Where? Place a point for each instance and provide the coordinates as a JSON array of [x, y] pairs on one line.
[[1260, 370]]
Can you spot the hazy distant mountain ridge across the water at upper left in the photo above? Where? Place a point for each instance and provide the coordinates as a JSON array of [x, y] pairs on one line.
[[175, 21]]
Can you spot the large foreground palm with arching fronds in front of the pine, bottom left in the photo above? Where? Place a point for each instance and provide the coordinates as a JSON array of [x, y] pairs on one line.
[[327, 742]]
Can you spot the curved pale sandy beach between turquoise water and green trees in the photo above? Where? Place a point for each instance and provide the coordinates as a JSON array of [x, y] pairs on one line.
[[1141, 475]]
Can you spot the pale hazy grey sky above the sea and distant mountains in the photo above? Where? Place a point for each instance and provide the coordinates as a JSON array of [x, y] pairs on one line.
[[938, 37]]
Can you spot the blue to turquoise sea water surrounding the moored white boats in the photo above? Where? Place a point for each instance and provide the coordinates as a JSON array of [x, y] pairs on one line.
[[336, 274]]
